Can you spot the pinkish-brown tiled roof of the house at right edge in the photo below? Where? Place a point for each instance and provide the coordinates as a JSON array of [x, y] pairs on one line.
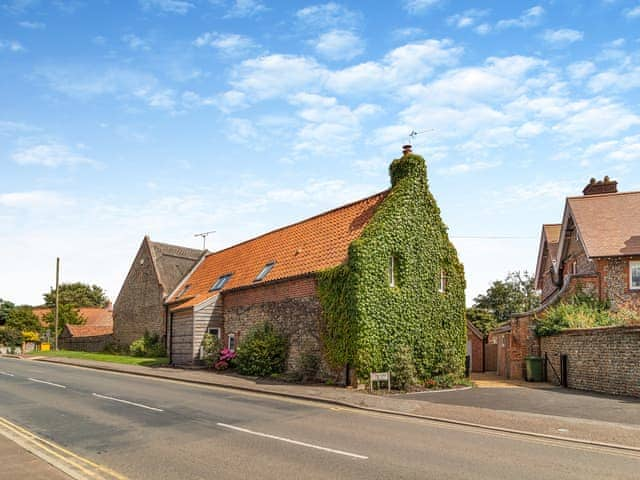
[[608, 224]]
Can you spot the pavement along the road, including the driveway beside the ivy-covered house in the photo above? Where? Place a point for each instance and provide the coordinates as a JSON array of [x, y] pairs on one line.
[[496, 403]]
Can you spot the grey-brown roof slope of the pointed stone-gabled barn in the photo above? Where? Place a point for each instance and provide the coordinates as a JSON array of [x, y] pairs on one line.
[[173, 262]]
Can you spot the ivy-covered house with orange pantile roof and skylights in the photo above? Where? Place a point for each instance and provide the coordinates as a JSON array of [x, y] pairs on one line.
[[350, 286]]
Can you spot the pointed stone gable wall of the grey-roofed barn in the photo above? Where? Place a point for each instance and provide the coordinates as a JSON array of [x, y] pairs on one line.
[[139, 305]]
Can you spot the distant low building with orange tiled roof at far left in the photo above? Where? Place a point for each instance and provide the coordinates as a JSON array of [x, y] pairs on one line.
[[93, 335]]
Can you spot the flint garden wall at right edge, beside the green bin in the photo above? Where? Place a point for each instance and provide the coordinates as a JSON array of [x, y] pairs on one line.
[[602, 360]]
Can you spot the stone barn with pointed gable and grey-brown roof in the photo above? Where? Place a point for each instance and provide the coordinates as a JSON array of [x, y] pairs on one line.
[[156, 270]]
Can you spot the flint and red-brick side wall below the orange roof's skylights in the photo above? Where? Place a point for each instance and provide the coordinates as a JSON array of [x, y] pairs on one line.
[[292, 307]]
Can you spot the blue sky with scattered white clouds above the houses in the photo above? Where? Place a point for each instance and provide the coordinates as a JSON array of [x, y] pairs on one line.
[[174, 117]]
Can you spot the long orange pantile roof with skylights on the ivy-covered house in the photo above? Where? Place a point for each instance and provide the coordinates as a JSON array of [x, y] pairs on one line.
[[308, 246]]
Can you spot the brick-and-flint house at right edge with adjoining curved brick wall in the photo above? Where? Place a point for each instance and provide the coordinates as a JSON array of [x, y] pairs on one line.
[[595, 250]]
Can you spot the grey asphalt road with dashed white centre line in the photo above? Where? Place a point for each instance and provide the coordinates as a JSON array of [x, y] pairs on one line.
[[153, 429]]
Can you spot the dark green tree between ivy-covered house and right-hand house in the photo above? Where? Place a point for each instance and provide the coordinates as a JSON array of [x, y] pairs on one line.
[[517, 293]]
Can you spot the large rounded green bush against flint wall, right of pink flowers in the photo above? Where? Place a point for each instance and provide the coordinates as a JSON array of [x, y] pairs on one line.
[[263, 352]]
